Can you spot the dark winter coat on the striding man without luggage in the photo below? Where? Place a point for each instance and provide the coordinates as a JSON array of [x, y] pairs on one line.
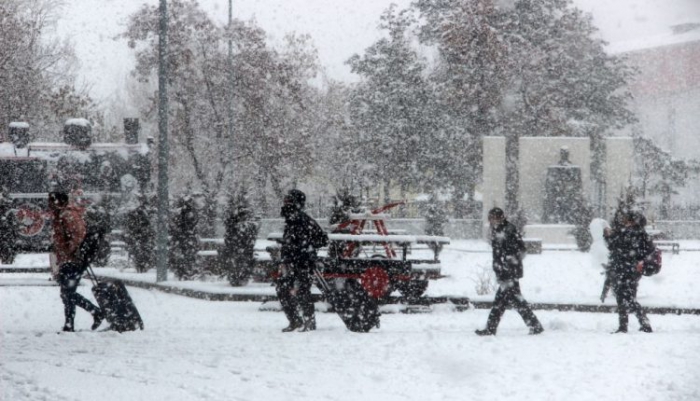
[[508, 251]]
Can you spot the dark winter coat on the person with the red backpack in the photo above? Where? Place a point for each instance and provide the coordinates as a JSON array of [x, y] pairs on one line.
[[628, 246]]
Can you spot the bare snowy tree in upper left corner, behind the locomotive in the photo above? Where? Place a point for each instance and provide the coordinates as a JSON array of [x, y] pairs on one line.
[[37, 73]]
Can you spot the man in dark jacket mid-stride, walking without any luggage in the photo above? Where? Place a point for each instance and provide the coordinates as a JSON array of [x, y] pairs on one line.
[[508, 252]]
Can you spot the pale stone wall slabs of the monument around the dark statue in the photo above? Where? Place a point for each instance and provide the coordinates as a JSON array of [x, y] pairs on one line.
[[535, 156]]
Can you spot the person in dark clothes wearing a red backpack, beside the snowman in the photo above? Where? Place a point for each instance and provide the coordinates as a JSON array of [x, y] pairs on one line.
[[629, 244]]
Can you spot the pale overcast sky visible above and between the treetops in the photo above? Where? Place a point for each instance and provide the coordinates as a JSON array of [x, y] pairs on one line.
[[339, 28]]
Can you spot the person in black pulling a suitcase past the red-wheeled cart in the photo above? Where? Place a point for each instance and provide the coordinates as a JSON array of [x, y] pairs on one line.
[[302, 237]]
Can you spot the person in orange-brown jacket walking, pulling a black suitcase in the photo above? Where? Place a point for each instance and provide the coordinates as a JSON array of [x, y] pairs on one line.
[[68, 233]]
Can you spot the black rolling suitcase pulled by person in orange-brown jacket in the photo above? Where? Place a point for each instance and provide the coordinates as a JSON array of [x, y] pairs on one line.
[[116, 304]]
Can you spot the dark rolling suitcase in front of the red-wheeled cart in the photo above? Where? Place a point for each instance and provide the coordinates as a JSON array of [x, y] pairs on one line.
[[356, 308]]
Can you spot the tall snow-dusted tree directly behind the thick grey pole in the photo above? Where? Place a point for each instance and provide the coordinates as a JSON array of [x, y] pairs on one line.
[[272, 138]]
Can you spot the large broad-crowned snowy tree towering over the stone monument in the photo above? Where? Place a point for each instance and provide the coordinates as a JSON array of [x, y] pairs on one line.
[[535, 68]]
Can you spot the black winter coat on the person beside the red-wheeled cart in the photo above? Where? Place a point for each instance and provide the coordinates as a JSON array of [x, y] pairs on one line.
[[301, 239]]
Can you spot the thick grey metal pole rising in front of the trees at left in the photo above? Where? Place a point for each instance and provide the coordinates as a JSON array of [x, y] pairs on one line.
[[162, 225]]
